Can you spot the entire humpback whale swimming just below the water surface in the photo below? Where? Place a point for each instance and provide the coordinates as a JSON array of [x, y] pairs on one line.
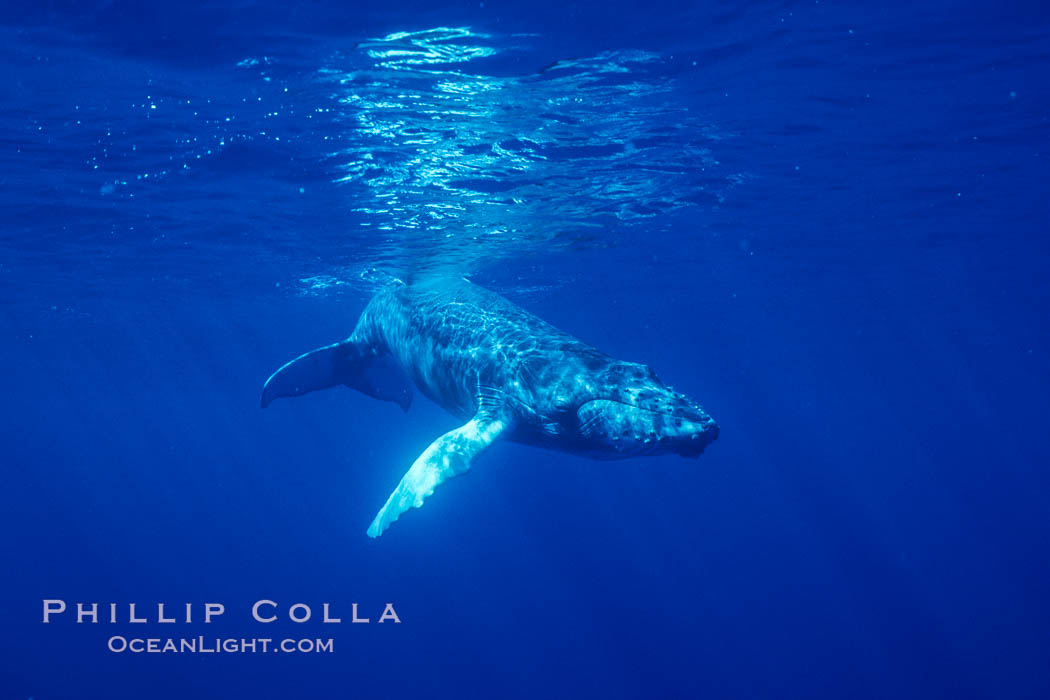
[[506, 373]]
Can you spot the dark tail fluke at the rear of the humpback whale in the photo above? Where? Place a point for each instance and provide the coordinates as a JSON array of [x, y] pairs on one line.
[[350, 364]]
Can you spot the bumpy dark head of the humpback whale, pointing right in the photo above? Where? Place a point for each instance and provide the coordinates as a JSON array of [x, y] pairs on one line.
[[631, 413]]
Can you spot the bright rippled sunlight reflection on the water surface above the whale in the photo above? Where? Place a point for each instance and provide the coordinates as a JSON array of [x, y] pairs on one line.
[[464, 165]]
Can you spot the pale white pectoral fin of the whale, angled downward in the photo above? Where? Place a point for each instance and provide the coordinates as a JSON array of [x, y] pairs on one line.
[[449, 456]]
